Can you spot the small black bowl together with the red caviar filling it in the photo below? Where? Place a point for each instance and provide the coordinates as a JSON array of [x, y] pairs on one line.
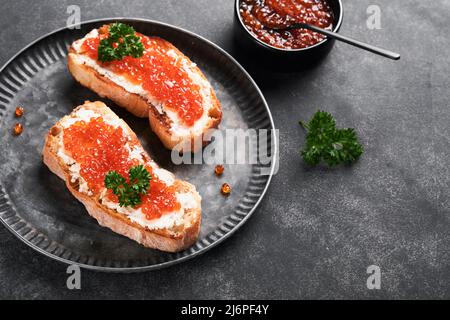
[[254, 19]]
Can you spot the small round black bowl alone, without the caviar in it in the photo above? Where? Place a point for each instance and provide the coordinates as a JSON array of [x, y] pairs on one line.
[[301, 58]]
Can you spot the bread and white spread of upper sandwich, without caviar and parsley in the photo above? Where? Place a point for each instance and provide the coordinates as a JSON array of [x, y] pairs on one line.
[[163, 118]]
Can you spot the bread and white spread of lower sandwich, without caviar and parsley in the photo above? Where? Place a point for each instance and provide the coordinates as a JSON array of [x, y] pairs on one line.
[[173, 231]]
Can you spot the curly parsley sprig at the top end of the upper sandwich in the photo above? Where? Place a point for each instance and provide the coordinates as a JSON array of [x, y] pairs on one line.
[[122, 42]]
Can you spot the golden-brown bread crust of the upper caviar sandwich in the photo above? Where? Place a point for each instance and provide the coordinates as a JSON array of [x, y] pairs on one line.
[[160, 123]]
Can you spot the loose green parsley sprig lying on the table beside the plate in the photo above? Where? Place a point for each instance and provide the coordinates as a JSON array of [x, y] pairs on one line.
[[325, 142]]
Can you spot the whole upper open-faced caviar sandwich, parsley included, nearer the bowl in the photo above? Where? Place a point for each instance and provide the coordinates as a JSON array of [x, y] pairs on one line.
[[150, 78]]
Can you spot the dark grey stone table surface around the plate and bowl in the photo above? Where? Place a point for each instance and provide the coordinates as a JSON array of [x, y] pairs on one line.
[[317, 230]]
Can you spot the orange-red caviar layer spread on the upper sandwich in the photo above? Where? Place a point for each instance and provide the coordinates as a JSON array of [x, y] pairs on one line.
[[158, 73]]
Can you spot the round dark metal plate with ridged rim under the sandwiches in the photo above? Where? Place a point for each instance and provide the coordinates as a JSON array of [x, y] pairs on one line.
[[35, 204]]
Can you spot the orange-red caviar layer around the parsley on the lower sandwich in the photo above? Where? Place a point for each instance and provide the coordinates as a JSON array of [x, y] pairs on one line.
[[99, 148]]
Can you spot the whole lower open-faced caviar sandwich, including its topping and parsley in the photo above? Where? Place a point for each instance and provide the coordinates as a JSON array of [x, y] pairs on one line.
[[105, 167]]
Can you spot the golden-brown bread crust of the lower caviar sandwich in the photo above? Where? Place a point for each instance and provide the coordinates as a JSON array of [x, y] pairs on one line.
[[162, 239]]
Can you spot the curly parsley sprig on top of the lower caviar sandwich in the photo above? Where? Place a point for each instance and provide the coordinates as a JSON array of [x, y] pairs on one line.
[[129, 193]]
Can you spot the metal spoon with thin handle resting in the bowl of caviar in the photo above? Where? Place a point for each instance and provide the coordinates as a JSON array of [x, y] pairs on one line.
[[337, 36]]
